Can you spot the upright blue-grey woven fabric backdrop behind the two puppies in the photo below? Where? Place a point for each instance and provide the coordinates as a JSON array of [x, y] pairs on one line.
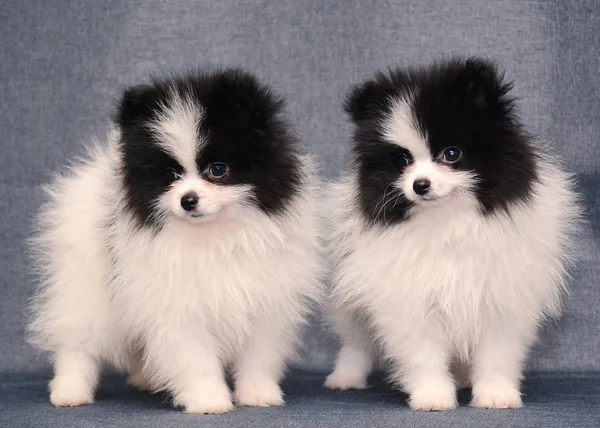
[[63, 64]]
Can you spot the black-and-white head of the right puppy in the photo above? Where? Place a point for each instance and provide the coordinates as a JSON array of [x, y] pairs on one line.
[[424, 137]]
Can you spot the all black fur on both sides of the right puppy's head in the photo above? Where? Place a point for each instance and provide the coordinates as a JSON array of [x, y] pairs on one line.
[[461, 103]]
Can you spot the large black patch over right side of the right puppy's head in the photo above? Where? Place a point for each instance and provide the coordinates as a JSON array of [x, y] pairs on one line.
[[468, 106]]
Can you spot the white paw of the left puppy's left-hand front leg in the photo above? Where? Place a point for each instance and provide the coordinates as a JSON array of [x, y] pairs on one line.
[[213, 399]]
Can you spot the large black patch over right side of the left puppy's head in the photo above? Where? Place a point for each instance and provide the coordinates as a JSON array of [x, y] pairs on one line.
[[245, 131]]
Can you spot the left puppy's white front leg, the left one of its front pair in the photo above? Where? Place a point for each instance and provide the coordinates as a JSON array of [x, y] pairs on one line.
[[185, 360]]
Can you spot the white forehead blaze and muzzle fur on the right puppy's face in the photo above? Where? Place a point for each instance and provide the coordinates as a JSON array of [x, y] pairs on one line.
[[400, 128]]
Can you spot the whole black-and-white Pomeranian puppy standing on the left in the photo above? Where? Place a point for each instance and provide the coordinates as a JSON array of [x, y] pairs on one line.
[[183, 247]]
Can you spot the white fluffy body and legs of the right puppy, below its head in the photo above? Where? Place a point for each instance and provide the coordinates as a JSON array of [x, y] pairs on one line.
[[449, 284]]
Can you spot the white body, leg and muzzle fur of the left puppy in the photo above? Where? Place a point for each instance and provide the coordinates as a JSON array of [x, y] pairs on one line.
[[173, 307]]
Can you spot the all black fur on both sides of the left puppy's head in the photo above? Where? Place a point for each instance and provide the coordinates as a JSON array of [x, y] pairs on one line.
[[241, 126]]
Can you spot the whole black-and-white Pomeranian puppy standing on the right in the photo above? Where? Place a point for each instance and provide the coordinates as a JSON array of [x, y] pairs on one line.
[[450, 236]]
